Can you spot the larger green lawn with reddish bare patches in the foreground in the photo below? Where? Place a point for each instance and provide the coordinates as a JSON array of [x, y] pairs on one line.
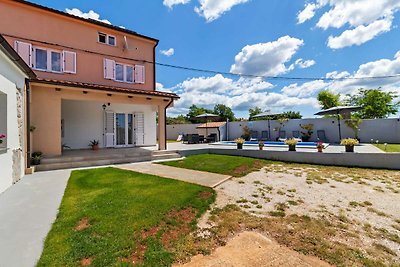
[[113, 217]]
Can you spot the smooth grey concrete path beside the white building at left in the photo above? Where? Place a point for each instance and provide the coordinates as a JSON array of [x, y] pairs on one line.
[[27, 211]]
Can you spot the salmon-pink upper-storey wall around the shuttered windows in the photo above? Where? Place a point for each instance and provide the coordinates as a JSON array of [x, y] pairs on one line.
[[38, 24]]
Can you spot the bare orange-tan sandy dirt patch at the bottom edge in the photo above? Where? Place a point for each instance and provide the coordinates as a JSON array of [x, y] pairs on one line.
[[253, 249]]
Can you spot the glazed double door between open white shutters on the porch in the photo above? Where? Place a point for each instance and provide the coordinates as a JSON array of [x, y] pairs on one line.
[[124, 129]]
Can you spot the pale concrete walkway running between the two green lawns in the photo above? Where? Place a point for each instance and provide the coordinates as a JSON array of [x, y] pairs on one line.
[[190, 176]]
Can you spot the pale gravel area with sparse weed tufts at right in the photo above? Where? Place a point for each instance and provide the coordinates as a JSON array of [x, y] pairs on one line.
[[367, 201]]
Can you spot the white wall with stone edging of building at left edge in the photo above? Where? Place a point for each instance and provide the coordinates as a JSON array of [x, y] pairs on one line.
[[12, 153]]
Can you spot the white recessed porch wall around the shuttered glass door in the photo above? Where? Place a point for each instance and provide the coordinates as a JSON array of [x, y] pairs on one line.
[[84, 121]]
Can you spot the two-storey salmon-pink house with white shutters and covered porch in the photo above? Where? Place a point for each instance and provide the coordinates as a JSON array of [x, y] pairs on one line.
[[94, 81]]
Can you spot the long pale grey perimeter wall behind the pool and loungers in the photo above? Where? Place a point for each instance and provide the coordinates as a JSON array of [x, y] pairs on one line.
[[384, 130]]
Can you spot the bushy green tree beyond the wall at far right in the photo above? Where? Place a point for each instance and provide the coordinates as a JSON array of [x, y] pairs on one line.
[[376, 103]]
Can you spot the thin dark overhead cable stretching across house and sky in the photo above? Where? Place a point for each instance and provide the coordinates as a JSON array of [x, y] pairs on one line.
[[266, 77]]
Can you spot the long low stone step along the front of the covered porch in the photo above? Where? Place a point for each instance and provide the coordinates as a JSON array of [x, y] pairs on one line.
[[90, 163]]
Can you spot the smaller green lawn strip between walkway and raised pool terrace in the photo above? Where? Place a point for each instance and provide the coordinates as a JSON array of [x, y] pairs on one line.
[[229, 165]]
